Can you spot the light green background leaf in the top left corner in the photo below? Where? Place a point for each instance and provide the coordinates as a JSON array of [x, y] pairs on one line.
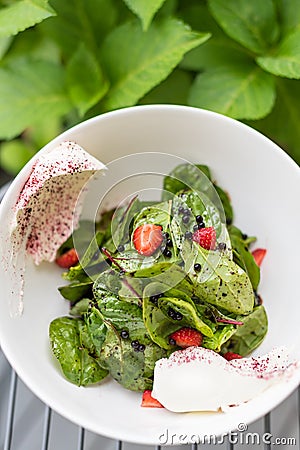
[[23, 14]]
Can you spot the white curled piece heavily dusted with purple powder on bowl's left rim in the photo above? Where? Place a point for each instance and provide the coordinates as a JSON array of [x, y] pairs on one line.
[[48, 209]]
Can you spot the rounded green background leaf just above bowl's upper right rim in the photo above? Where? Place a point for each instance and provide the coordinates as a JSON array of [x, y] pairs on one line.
[[241, 91]]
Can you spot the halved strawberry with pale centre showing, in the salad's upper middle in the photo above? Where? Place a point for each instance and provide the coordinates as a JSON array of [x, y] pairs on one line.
[[147, 238]]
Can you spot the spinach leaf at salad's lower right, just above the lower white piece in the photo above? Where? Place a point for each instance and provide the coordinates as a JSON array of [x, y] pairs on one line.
[[250, 335]]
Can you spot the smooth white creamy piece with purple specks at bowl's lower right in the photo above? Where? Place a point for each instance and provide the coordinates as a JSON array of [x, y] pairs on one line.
[[199, 379]]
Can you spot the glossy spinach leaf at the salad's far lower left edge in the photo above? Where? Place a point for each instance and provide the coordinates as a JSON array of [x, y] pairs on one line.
[[73, 348]]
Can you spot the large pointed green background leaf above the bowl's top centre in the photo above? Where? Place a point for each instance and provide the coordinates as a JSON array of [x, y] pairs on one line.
[[136, 61]]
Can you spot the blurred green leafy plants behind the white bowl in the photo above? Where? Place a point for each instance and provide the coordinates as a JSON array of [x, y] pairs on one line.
[[62, 62]]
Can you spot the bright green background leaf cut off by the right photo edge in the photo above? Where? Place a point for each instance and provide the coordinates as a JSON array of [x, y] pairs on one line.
[[284, 61]]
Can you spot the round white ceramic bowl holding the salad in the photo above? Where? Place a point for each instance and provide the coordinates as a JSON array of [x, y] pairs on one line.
[[264, 185]]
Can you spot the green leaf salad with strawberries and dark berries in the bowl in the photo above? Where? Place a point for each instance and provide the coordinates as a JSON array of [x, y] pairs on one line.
[[154, 278]]
